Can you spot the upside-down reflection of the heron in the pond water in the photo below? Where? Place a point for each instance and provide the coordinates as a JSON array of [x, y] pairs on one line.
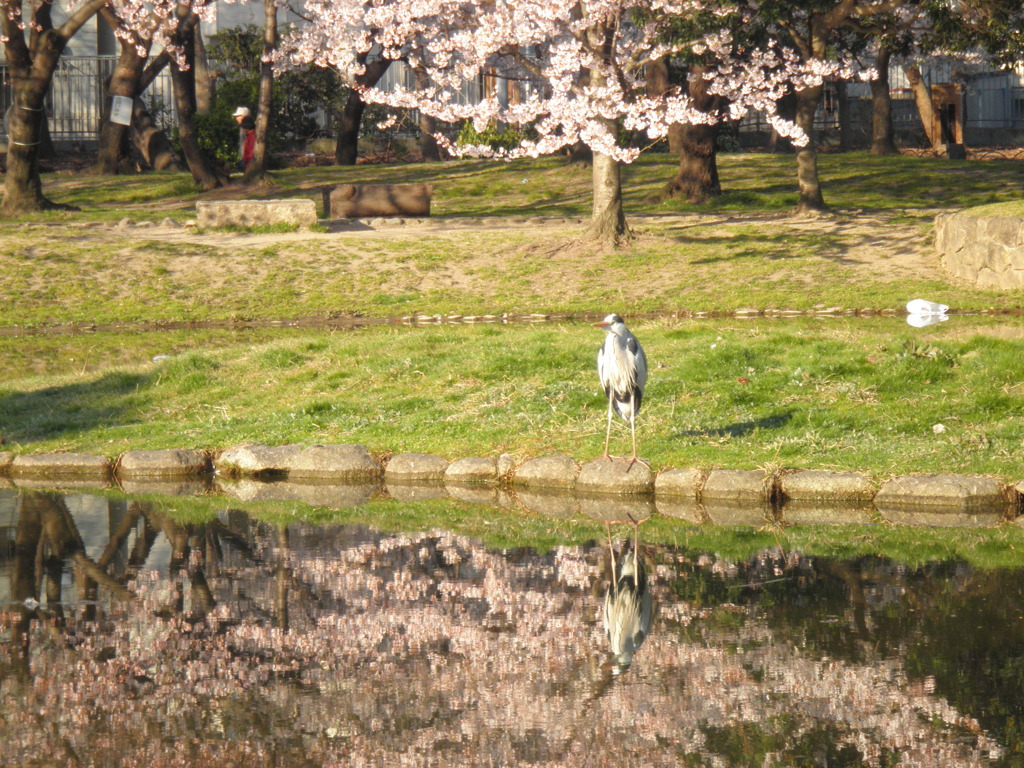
[[627, 604]]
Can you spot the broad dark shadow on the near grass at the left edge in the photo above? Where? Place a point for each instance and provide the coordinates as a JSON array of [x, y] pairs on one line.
[[54, 412]]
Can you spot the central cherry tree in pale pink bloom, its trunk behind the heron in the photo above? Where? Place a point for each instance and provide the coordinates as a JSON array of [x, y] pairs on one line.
[[584, 67]]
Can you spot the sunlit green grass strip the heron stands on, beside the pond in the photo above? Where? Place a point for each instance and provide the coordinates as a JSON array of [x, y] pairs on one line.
[[845, 395]]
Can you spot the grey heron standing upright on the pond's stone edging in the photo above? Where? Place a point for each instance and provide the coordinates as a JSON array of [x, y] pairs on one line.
[[622, 367]]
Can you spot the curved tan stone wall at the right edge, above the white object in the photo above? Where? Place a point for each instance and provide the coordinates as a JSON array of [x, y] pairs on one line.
[[986, 251]]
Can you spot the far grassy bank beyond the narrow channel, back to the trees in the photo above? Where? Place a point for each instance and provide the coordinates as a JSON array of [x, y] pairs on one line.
[[739, 250]]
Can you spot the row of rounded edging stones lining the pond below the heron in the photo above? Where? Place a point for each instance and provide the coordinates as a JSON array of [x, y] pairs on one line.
[[717, 495]]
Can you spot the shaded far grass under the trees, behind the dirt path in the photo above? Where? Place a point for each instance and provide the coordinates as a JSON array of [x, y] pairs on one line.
[[549, 187]]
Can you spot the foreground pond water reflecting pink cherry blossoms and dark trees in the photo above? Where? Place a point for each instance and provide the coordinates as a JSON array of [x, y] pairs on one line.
[[131, 636]]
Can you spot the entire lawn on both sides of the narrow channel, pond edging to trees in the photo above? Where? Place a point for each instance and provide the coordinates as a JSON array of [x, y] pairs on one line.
[[858, 395]]
